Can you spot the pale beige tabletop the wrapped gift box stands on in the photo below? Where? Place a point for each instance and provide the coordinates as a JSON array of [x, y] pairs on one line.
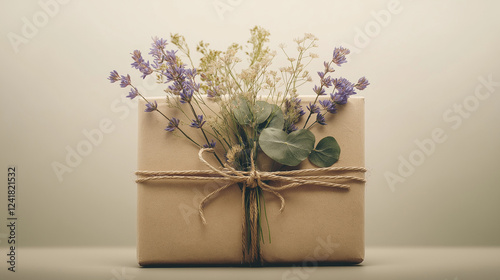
[[439, 263]]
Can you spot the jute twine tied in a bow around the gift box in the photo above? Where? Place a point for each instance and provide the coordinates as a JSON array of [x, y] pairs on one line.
[[251, 180]]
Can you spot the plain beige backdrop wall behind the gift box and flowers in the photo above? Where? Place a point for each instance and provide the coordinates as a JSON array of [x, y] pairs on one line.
[[421, 60]]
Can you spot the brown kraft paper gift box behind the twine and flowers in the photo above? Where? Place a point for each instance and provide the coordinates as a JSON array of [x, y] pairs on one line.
[[317, 225]]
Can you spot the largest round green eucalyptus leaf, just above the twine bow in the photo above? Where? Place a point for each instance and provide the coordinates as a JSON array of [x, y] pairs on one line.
[[288, 149]]
